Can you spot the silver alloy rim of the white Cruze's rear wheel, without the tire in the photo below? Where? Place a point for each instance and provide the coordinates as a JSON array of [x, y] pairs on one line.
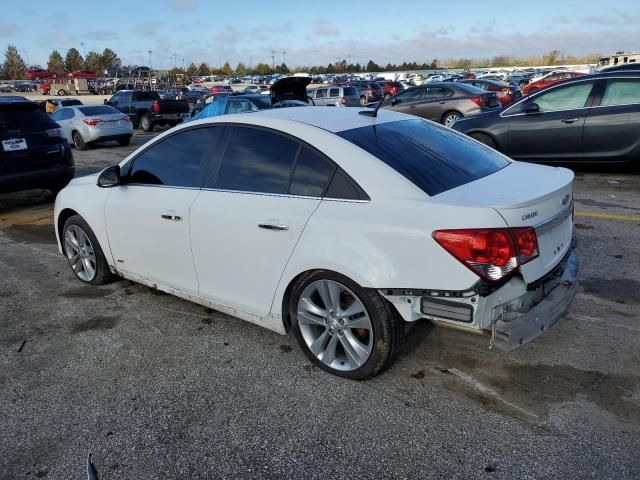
[[335, 325]]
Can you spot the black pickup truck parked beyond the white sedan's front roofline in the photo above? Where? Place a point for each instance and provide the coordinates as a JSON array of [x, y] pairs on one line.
[[146, 109]]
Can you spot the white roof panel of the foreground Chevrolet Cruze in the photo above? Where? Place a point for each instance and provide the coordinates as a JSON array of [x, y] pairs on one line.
[[331, 119]]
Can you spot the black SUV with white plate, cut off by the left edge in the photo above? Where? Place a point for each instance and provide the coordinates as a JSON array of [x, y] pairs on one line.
[[33, 152]]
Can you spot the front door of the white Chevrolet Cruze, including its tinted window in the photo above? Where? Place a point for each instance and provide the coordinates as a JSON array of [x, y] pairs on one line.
[[147, 218]]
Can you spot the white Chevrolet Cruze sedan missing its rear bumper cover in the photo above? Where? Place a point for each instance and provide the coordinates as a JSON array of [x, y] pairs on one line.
[[336, 226]]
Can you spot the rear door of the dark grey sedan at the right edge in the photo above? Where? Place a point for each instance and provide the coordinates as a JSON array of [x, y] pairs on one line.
[[611, 129]]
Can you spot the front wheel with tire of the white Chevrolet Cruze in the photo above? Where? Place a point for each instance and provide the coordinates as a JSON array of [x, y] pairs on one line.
[[83, 252]]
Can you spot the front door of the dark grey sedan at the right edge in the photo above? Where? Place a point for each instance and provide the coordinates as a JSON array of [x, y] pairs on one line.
[[555, 133]]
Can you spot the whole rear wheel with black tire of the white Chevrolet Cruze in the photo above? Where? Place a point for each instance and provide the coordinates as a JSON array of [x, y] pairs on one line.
[[344, 329]]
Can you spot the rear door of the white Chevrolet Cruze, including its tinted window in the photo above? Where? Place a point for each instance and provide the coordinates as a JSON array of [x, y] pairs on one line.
[[259, 194]]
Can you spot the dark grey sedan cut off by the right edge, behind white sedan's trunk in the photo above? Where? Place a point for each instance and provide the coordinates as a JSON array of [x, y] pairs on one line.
[[592, 118]]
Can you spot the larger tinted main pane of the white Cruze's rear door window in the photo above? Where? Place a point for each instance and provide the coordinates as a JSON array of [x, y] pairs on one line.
[[257, 161]]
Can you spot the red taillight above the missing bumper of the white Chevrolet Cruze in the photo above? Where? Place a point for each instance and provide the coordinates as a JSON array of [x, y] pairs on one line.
[[492, 253]]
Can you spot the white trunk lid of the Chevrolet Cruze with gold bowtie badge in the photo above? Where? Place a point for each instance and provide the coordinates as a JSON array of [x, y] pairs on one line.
[[527, 195]]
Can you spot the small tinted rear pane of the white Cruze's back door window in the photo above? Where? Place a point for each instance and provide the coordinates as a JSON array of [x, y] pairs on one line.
[[311, 175]]
